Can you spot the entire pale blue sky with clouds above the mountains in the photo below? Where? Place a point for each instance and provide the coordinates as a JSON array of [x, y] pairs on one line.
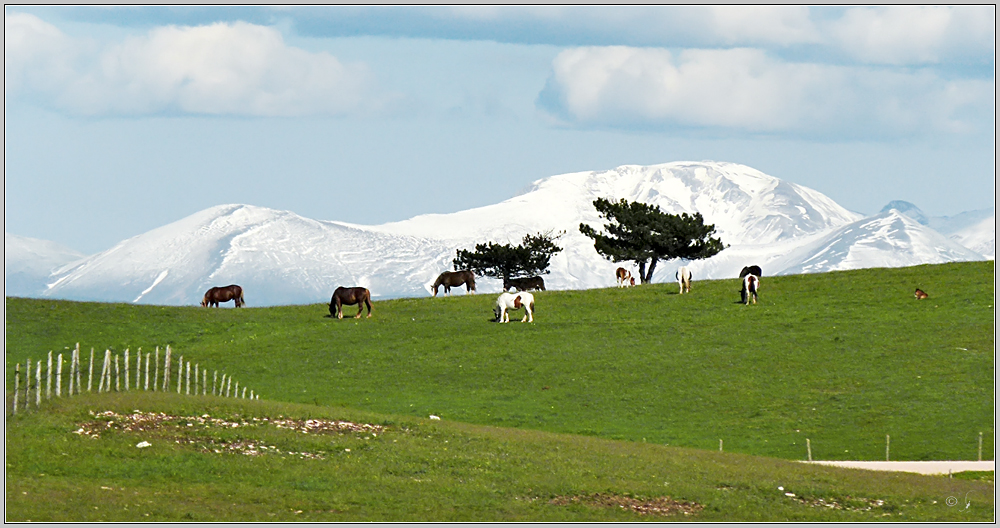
[[119, 120]]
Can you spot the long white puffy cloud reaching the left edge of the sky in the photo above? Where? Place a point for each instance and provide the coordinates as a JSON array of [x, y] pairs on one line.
[[223, 68]]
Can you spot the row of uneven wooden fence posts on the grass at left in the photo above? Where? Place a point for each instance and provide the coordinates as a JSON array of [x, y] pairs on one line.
[[104, 383]]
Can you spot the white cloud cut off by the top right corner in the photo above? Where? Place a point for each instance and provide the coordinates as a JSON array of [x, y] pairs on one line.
[[916, 34]]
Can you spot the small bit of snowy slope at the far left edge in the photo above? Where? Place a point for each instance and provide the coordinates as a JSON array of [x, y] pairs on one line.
[[28, 262]]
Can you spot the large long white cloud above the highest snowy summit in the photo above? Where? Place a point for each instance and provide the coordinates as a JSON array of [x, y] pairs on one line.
[[747, 90]]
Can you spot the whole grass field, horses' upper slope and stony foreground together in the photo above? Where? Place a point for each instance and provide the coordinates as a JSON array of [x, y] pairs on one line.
[[842, 359]]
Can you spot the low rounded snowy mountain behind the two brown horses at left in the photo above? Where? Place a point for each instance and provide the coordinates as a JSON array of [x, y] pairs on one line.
[[278, 257]]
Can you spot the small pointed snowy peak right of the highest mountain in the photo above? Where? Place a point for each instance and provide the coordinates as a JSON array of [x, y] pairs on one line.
[[887, 240]]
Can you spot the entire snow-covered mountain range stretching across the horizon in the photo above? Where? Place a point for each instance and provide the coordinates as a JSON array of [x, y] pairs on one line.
[[282, 258]]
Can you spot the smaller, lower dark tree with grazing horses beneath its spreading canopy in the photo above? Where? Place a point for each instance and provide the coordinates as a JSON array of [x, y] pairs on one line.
[[506, 261]]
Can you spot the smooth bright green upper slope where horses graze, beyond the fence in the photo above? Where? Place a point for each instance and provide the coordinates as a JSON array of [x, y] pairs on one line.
[[843, 359]]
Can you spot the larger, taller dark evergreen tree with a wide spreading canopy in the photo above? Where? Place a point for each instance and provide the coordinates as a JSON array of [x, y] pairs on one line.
[[644, 234]]
